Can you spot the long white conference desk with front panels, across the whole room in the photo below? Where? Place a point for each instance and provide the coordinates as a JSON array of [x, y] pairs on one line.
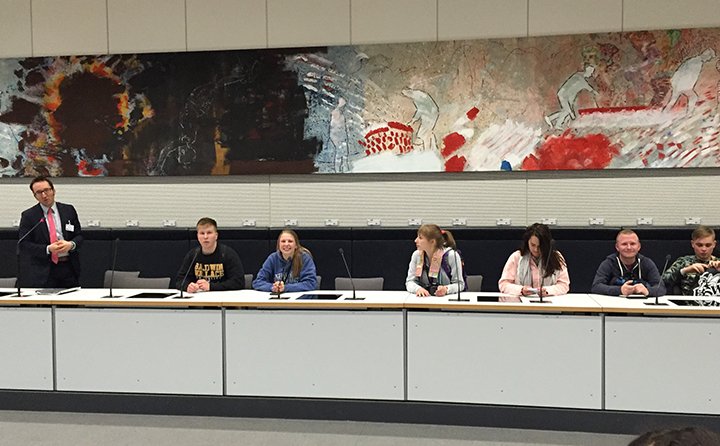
[[576, 351]]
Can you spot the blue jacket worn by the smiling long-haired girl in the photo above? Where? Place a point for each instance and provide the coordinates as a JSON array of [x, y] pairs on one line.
[[275, 268]]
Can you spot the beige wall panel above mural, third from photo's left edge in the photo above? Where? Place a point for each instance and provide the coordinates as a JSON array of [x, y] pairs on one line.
[[140, 26]]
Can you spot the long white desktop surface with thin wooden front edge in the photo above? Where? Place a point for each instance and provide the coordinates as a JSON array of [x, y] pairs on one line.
[[582, 303]]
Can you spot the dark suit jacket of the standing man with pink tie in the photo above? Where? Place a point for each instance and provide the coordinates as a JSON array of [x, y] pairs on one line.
[[34, 259]]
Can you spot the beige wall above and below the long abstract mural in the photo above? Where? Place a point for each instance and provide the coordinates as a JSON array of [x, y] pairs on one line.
[[61, 27]]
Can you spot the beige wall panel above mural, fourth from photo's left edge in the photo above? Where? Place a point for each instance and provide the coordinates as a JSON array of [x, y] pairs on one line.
[[226, 24]]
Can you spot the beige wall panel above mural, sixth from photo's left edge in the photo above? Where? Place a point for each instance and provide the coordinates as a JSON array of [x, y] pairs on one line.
[[375, 21]]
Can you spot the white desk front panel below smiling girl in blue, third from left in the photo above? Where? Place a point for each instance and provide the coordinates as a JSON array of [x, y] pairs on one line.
[[315, 353]]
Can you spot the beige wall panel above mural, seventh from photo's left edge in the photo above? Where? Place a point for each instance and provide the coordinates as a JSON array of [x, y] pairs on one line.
[[477, 19]]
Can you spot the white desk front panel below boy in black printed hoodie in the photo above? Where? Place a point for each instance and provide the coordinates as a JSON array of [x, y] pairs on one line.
[[139, 350]]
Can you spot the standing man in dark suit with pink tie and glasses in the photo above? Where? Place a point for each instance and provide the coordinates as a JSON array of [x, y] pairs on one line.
[[50, 250]]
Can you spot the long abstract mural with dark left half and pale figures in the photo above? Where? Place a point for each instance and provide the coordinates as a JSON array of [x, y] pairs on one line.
[[646, 99]]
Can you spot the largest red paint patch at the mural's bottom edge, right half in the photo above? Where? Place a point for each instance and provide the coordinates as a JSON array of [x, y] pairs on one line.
[[570, 152]]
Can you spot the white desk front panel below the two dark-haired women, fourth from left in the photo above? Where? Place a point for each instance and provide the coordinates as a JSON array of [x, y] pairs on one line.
[[516, 359]]
